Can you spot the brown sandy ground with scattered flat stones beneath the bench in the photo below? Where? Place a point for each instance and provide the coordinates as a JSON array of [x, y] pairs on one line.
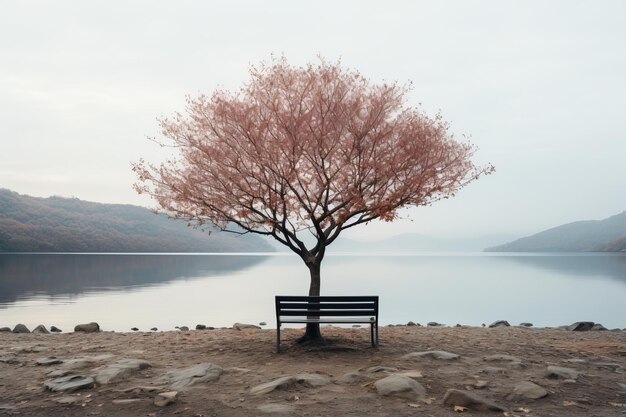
[[248, 359]]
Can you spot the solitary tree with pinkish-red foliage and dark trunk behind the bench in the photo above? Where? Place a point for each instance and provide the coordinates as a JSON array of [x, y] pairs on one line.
[[303, 153]]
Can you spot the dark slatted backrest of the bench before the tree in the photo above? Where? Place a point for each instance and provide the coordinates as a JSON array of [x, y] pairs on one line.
[[293, 305]]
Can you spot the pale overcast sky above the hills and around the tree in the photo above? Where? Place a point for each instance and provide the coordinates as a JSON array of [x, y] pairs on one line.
[[539, 85]]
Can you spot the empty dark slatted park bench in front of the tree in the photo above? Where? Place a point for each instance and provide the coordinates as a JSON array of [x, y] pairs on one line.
[[327, 309]]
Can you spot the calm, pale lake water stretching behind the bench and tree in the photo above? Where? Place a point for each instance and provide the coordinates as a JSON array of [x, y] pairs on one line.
[[164, 291]]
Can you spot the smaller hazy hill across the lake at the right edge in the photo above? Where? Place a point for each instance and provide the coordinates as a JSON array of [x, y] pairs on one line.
[[584, 236]]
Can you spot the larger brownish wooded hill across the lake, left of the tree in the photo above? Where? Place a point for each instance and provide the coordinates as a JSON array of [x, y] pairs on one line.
[[57, 224]]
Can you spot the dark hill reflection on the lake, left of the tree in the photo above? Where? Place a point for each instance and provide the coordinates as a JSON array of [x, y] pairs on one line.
[[24, 276]]
